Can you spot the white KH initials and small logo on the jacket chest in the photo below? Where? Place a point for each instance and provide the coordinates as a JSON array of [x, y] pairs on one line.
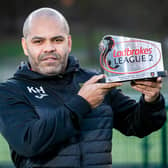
[[39, 93]]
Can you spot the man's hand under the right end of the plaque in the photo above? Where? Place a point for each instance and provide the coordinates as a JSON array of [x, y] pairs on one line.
[[151, 89]]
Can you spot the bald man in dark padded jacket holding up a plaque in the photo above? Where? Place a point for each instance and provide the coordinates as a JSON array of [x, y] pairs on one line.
[[50, 120]]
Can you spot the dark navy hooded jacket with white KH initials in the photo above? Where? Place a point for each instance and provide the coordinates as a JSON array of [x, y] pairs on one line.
[[47, 124]]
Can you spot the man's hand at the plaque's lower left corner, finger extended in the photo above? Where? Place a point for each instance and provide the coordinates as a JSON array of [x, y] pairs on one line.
[[94, 92]]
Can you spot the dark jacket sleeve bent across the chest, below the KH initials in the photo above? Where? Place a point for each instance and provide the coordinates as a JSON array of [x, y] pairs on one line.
[[30, 135]]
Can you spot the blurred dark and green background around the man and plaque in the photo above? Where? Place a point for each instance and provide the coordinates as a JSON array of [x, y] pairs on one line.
[[90, 20]]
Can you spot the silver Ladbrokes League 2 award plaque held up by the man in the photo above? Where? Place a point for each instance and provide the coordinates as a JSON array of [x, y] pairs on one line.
[[124, 58]]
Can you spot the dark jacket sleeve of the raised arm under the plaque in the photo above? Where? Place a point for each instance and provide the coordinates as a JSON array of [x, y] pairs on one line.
[[137, 118]]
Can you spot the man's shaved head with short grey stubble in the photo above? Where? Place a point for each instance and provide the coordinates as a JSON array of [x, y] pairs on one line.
[[46, 41]]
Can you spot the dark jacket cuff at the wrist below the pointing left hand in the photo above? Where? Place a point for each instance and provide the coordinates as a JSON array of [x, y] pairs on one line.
[[78, 105]]
